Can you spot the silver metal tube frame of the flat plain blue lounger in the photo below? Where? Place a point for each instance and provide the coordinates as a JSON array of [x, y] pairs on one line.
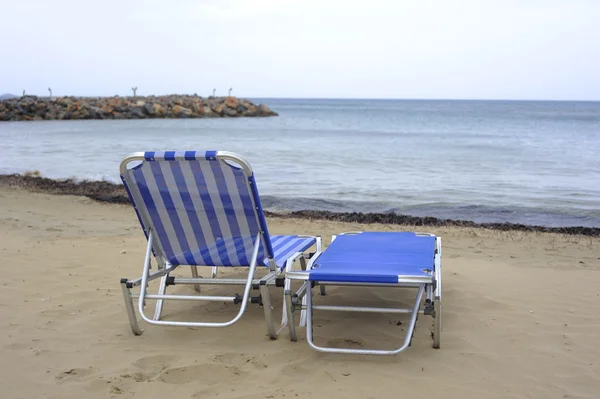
[[430, 287]]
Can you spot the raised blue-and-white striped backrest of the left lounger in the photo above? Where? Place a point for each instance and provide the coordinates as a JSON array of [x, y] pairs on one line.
[[202, 207]]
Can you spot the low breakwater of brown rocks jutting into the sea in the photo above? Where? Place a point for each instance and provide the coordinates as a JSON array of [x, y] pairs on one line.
[[32, 108]]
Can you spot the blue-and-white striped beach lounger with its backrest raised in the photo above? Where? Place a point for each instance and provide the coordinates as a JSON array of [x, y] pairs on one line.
[[203, 209]]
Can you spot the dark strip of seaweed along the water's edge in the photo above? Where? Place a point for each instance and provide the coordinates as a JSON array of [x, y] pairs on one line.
[[107, 192]]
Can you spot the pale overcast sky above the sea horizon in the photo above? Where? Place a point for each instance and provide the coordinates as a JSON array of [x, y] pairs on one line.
[[486, 49]]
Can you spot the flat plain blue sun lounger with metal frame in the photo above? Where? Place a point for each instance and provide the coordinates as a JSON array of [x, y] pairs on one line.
[[371, 259]]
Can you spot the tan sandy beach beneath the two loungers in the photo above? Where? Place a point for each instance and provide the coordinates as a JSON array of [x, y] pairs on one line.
[[521, 319]]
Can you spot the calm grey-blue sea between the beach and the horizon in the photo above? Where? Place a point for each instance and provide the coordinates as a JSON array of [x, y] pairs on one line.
[[520, 162]]
